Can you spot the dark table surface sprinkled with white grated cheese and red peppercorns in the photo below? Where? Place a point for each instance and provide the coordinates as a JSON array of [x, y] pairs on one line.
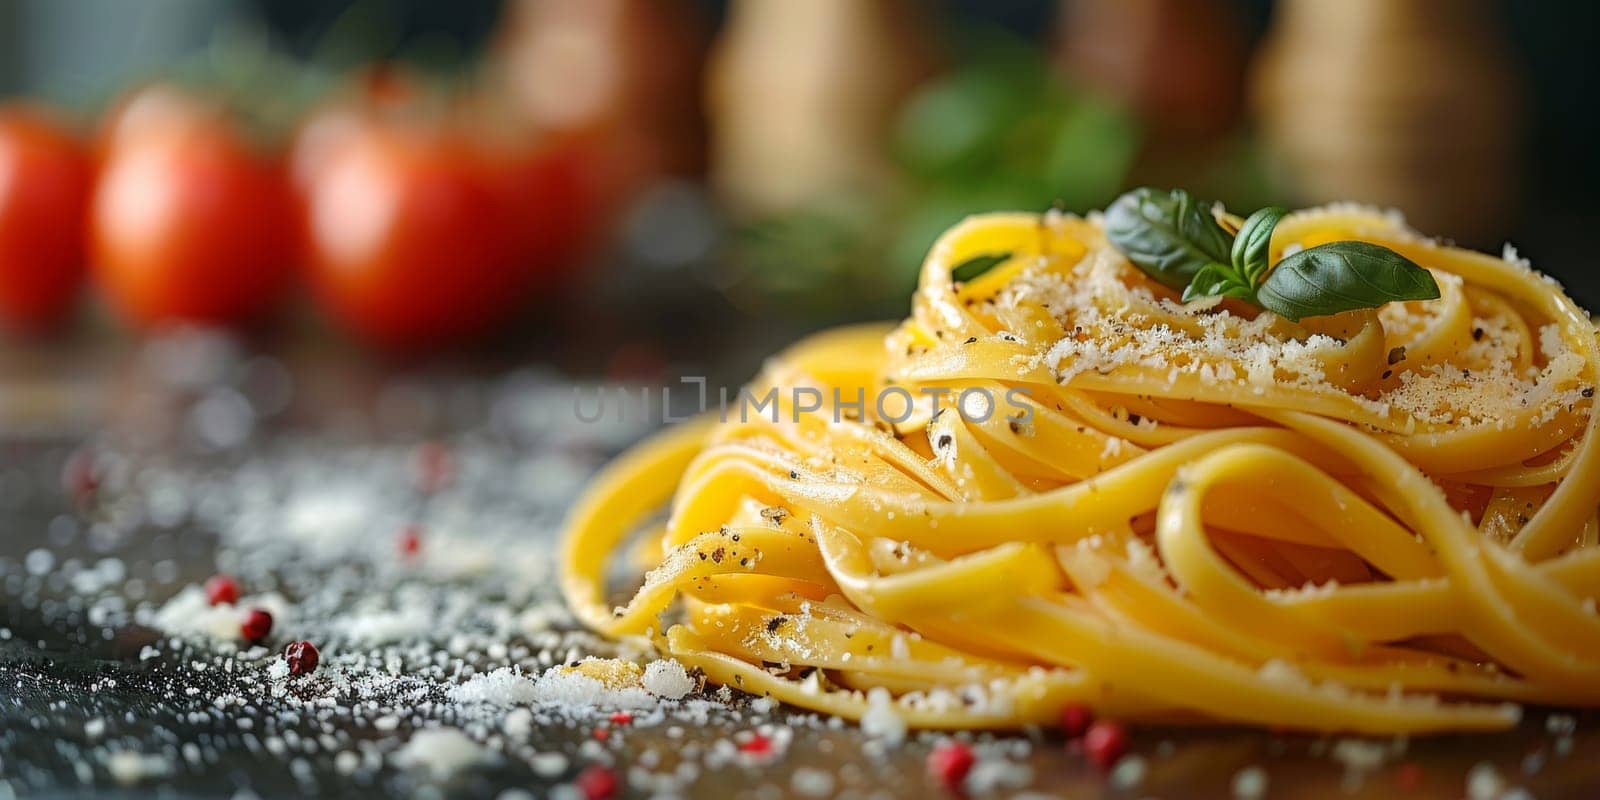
[[295, 473]]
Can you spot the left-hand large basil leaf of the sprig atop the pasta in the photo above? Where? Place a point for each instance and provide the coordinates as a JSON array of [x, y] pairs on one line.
[[1172, 236]]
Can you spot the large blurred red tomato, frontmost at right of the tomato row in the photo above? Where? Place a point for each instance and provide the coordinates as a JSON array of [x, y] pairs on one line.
[[412, 238]]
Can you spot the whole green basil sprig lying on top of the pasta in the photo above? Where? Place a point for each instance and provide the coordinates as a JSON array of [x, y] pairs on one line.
[[1174, 238]]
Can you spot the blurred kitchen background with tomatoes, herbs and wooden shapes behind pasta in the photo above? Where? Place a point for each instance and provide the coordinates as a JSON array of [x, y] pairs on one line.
[[602, 183]]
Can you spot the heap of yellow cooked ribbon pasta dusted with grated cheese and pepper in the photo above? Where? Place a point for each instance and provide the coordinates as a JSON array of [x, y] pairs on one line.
[[1378, 521]]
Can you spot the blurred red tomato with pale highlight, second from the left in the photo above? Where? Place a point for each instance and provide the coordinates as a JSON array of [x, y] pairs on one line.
[[188, 222]]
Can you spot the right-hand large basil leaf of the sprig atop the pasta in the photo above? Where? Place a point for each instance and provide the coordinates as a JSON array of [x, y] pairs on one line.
[[1343, 276]]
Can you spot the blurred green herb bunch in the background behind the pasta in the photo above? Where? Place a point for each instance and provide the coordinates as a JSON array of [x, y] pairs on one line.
[[1001, 134]]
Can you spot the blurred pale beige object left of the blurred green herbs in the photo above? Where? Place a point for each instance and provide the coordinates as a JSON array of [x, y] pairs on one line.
[[802, 98]]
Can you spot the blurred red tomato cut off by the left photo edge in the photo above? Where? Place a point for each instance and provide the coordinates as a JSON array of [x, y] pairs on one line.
[[44, 193]]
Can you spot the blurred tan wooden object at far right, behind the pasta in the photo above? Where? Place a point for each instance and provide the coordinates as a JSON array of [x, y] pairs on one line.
[[1399, 103]]
